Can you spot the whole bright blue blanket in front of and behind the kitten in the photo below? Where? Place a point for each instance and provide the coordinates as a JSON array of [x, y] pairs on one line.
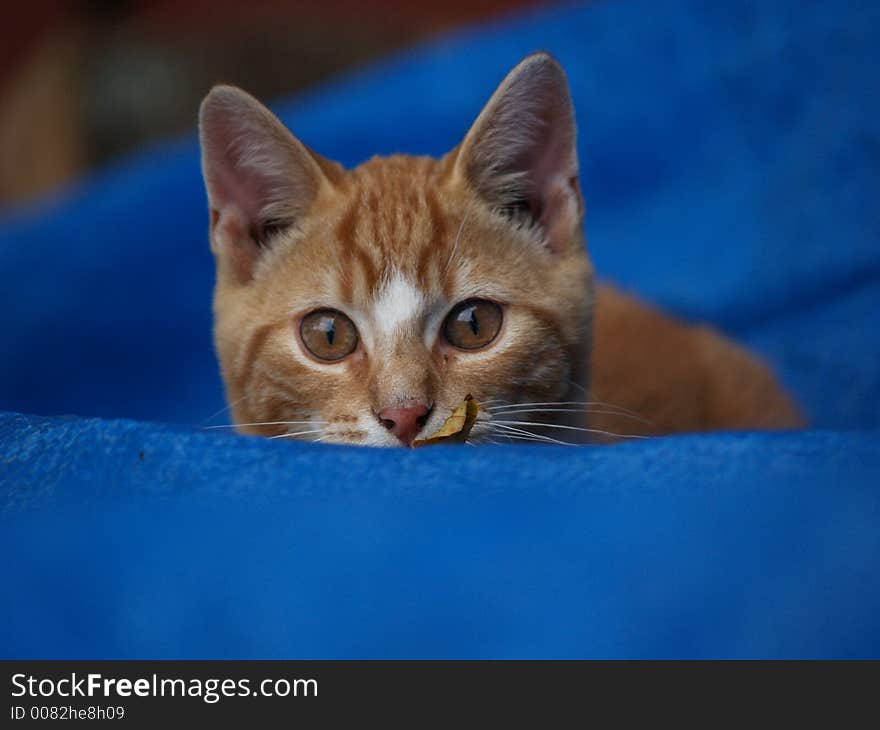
[[731, 166]]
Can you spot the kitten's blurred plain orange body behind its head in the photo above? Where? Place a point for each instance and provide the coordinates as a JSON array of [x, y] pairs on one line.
[[676, 377]]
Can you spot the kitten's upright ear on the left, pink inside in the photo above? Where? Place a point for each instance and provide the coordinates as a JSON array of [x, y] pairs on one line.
[[259, 177]]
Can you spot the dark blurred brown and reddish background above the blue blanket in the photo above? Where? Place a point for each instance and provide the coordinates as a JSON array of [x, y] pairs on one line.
[[84, 81]]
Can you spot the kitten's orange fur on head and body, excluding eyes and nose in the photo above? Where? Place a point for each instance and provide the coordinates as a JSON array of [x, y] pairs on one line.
[[397, 242]]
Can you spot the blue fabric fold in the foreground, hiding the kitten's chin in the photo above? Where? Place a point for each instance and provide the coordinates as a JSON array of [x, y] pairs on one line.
[[134, 540]]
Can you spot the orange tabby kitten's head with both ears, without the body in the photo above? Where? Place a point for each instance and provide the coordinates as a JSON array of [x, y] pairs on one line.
[[362, 306]]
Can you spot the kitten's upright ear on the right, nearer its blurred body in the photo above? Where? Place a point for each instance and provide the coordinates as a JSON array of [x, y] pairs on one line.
[[520, 154]]
